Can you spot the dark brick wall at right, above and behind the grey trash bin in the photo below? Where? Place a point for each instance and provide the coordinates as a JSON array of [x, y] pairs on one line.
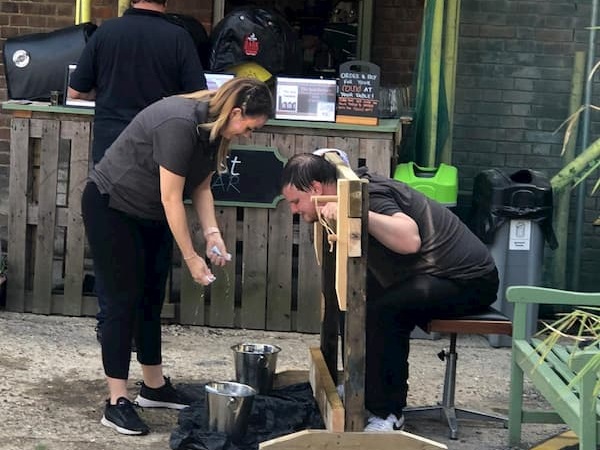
[[513, 88]]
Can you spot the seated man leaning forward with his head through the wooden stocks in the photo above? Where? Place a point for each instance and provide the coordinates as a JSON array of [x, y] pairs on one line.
[[422, 263]]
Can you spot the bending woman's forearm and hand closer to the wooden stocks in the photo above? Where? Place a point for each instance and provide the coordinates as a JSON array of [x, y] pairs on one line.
[[204, 206]]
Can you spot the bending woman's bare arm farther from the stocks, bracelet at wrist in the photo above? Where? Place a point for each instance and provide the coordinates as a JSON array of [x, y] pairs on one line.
[[171, 192]]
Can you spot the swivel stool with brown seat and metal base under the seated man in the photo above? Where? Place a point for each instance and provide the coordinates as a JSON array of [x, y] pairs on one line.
[[490, 321]]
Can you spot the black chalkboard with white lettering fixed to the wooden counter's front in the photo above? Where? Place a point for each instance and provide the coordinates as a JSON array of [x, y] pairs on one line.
[[252, 178]]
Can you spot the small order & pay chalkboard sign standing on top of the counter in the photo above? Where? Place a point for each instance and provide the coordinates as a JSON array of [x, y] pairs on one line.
[[358, 93]]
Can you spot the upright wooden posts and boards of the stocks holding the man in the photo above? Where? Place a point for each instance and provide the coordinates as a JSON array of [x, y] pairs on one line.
[[349, 278]]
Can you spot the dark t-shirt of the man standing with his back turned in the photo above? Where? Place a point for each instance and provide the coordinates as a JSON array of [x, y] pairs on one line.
[[133, 61]]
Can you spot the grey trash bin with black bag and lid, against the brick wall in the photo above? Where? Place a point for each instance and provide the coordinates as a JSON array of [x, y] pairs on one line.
[[512, 215]]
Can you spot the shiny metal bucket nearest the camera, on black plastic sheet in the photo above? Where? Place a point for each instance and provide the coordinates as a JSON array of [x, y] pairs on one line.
[[228, 407]]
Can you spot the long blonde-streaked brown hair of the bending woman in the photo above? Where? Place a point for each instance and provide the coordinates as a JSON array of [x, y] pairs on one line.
[[251, 95]]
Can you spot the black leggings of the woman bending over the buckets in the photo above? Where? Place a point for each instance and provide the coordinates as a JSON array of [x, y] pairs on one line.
[[132, 258]]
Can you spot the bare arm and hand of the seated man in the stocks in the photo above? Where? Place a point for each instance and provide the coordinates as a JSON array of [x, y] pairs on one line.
[[398, 232]]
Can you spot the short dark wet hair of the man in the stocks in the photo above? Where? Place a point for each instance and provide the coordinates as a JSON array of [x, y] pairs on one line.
[[303, 169]]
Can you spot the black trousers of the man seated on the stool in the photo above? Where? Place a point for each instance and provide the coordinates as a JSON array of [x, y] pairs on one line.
[[393, 313]]
